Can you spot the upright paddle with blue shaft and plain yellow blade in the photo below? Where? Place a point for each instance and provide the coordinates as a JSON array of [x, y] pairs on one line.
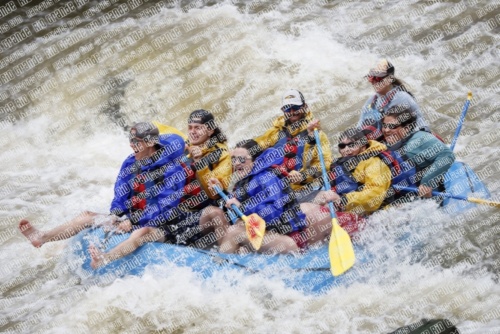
[[340, 248]]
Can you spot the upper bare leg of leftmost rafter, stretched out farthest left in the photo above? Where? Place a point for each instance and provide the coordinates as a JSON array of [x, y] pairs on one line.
[[61, 232]]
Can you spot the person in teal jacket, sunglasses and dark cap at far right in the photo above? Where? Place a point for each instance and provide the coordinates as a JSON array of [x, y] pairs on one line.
[[428, 154]]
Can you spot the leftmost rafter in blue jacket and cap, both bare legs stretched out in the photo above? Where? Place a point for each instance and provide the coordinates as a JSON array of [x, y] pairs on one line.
[[143, 198]]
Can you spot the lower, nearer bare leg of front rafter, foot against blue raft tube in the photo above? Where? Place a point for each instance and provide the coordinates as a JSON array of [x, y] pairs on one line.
[[137, 238]]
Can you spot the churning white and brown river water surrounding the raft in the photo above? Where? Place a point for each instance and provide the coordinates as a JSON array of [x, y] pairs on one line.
[[75, 73]]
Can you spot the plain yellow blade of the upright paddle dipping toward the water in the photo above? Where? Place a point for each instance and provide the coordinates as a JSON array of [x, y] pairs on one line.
[[340, 250]]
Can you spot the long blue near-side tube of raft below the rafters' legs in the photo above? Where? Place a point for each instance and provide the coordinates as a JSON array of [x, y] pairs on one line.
[[308, 272]]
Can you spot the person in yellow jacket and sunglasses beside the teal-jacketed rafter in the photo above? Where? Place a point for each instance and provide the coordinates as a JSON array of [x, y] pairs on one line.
[[360, 179]]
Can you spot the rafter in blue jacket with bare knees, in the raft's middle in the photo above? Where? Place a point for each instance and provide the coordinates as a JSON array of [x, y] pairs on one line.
[[259, 189]]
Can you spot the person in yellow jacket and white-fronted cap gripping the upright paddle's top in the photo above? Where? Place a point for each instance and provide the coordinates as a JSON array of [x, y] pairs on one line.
[[293, 135]]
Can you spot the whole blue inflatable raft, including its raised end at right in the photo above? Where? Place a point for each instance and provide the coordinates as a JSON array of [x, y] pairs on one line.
[[308, 272]]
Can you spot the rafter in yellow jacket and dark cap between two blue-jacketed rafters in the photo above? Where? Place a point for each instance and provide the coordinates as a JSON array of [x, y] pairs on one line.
[[207, 157]]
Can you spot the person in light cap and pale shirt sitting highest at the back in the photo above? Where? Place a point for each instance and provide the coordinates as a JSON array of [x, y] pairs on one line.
[[389, 91]]
